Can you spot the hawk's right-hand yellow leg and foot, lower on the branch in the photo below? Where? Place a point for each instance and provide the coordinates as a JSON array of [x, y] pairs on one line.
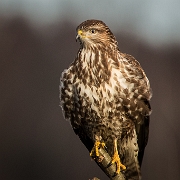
[[116, 159]]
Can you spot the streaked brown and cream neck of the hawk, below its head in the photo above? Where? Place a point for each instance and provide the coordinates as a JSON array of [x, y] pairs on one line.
[[97, 63]]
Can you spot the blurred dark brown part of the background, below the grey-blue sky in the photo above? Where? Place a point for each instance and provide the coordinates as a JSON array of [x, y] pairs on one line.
[[36, 142]]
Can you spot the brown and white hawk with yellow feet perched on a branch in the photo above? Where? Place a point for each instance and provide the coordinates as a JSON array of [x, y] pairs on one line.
[[105, 94]]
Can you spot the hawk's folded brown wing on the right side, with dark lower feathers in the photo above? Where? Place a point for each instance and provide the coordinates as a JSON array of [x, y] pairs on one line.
[[143, 87]]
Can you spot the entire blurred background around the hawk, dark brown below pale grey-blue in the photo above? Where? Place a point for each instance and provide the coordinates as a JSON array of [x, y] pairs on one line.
[[37, 42]]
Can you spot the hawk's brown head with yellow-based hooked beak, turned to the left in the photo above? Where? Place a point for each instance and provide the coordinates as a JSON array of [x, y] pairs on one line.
[[94, 33]]
